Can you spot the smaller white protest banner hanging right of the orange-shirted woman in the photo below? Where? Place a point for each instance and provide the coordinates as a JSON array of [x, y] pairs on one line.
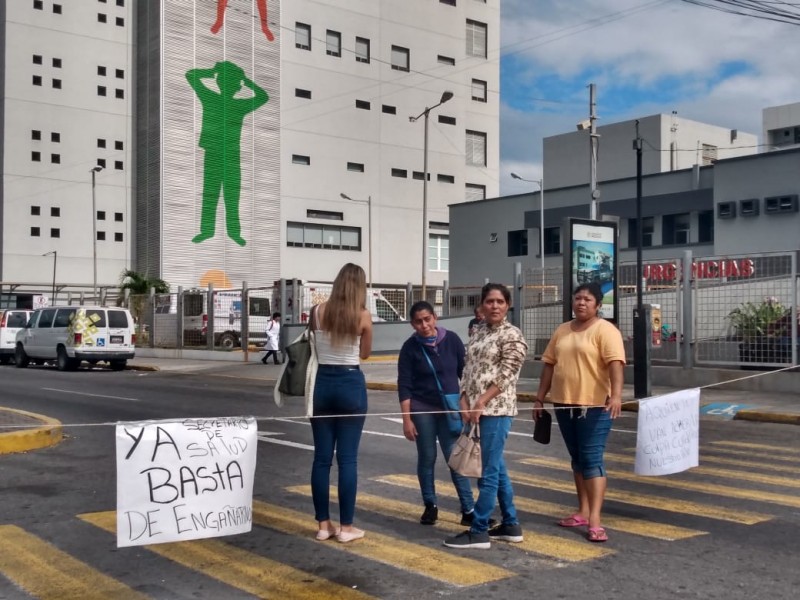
[[668, 434]]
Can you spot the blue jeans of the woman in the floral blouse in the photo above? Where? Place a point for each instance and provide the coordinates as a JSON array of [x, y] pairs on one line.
[[494, 485]]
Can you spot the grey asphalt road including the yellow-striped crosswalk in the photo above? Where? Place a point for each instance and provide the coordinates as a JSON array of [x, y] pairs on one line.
[[726, 530]]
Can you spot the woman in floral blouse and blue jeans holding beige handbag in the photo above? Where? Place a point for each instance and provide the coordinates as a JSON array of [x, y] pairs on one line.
[[495, 354]]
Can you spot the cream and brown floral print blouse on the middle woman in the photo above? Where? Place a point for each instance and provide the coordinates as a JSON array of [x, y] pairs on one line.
[[494, 356]]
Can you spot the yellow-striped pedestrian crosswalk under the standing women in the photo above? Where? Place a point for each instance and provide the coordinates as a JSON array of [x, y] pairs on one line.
[[649, 511]]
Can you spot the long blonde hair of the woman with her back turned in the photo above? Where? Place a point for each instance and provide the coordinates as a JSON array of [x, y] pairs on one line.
[[342, 313]]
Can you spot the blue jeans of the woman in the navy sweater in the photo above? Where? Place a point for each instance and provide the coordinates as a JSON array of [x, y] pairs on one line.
[[431, 427]]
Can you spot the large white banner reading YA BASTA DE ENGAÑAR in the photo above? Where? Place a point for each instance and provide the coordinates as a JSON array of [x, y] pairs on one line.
[[184, 480]]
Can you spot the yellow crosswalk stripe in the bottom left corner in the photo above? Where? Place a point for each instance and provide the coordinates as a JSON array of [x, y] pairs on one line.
[[47, 573]]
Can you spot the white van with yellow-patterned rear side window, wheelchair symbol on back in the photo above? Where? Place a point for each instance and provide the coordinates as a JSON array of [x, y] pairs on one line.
[[71, 334]]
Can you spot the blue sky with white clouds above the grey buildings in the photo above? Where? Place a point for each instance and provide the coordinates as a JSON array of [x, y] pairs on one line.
[[645, 57]]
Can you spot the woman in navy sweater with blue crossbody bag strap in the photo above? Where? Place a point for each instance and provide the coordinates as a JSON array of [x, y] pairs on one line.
[[430, 363]]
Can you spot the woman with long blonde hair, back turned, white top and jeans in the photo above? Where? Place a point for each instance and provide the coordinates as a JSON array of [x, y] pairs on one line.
[[343, 335]]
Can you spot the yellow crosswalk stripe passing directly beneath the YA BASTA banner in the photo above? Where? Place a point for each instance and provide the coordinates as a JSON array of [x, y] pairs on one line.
[[240, 569]]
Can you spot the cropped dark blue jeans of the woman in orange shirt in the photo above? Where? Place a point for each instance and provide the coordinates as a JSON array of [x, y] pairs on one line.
[[585, 435]]
